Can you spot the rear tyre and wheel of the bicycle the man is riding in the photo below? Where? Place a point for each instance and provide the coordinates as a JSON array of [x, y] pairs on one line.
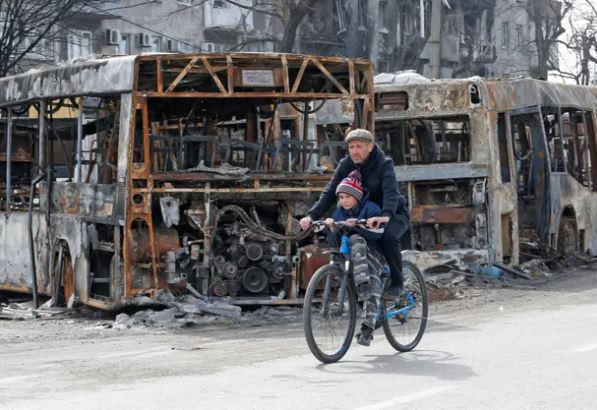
[[414, 283]]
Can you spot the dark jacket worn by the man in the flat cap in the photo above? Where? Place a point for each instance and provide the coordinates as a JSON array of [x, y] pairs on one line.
[[377, 177]]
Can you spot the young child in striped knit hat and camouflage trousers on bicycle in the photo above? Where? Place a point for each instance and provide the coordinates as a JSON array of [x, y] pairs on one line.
[[365, 252]]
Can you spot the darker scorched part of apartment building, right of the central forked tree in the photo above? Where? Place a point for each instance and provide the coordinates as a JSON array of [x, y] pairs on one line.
[[437, 38]]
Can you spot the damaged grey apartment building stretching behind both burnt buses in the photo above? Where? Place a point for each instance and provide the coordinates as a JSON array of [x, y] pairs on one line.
[[437, 38]]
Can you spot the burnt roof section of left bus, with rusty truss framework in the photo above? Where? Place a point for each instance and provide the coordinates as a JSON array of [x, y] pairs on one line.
[[294, 76]]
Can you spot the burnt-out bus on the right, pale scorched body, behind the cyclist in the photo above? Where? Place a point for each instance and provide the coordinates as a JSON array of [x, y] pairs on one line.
[[495, 171]]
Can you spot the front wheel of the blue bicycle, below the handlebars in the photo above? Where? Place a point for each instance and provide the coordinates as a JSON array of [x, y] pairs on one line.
[[329, 314]]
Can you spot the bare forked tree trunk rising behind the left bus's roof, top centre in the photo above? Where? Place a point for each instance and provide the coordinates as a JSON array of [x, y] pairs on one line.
[[290, 14]]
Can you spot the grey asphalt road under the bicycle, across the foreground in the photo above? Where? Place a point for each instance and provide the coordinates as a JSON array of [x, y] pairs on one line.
[[518, 349]]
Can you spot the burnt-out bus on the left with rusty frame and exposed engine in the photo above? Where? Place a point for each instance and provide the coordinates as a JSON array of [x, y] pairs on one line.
[[126, 175]]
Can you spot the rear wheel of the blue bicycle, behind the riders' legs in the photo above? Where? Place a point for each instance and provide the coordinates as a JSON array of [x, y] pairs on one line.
[[405, 319]]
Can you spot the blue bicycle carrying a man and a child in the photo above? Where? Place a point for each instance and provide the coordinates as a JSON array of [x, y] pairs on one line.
[[330, 305]]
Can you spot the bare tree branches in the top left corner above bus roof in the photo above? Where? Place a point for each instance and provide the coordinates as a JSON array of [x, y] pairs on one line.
[[25, 24]]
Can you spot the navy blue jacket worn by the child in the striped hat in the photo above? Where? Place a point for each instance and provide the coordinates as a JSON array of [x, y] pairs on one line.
[[366, 209]]
